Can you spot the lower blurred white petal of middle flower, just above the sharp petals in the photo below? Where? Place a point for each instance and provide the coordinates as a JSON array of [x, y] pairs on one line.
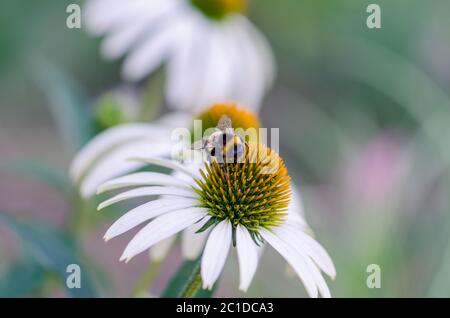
[[116, 162]]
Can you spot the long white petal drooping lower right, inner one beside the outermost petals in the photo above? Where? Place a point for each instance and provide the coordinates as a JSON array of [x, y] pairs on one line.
[[294, 259]]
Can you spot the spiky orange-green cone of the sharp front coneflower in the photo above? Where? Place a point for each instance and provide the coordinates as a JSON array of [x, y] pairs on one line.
[[254, 193]]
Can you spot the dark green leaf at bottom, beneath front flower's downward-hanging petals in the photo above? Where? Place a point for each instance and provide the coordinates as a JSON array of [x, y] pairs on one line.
[[181, 278]]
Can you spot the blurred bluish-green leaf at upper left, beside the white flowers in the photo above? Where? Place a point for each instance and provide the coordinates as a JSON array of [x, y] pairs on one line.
[[66, 103]]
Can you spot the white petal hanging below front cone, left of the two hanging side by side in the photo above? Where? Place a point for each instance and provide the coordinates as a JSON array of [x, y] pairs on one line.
[[215, 253]]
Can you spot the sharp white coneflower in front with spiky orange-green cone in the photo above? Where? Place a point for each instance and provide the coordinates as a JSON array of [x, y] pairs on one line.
[[243, 204]]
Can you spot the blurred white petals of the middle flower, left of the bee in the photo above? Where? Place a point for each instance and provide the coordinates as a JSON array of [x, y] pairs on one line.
[[104, 157]]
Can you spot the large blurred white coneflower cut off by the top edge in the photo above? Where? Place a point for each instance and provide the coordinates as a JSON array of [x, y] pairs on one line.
[[211, 49]]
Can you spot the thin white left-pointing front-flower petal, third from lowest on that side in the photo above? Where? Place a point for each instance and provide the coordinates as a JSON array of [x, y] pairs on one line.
[[147, 191]]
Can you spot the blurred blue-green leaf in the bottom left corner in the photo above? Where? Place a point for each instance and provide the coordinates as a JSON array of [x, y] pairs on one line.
[[54, 251]]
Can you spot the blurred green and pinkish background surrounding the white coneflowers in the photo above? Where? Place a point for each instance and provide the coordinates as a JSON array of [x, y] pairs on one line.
[[364, 118]]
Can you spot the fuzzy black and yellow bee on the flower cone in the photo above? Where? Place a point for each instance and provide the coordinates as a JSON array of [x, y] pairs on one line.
[[224, 145]]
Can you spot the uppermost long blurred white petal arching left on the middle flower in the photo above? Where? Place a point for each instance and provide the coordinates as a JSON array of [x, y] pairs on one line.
[[110, 139]]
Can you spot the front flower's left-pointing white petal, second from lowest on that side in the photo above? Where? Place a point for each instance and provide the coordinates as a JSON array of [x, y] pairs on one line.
[[146, 212]]
